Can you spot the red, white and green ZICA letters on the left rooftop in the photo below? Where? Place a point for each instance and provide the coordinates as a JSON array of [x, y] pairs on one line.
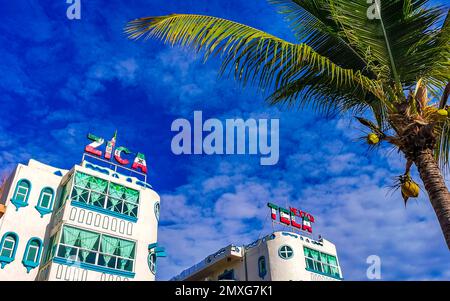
[[97, 142]]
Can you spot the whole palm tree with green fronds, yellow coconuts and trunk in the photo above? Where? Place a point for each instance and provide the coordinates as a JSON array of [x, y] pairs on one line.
[[387, 61]]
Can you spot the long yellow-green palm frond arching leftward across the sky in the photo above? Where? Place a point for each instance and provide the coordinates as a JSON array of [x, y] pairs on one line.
[[254, 56]]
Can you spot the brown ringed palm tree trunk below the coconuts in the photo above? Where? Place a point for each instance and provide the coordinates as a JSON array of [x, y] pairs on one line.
[[437, 191]]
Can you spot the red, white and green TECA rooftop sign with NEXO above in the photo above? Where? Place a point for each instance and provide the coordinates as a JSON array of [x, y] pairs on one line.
[[288, 217]]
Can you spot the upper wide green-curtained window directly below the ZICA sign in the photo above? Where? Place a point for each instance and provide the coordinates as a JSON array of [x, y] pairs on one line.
[[108, 197]]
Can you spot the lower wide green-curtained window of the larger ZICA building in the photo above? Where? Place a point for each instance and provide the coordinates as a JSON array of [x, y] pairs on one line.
[[96, 249]]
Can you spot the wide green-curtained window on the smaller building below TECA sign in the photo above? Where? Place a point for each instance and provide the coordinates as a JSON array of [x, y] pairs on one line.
[[321, 263]]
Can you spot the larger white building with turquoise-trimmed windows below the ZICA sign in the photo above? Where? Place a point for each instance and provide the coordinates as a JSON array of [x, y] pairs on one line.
[[87, 223]]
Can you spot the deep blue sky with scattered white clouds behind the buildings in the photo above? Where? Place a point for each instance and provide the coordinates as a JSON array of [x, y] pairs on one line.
[[62, 79]]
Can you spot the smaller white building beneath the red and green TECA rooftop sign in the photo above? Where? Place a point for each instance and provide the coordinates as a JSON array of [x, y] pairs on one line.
[[280, 256]]
